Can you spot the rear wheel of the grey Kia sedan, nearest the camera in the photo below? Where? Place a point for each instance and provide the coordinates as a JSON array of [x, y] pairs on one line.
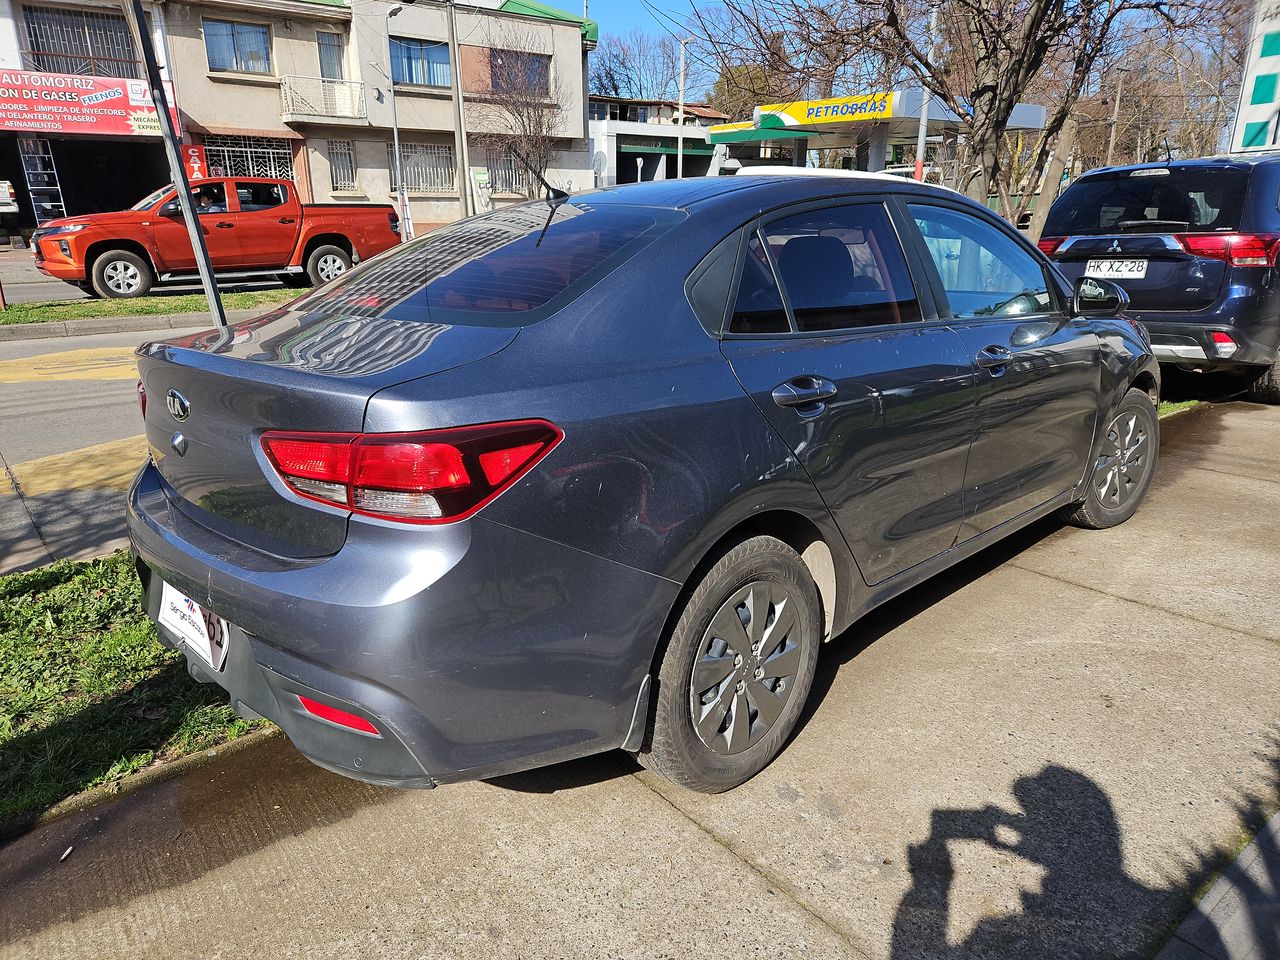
[[737, 670]]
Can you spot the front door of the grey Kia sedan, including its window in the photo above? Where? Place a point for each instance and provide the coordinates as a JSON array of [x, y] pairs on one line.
[[1040, 374]]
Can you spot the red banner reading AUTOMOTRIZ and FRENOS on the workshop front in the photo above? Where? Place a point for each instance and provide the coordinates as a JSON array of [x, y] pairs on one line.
[[57, 103]]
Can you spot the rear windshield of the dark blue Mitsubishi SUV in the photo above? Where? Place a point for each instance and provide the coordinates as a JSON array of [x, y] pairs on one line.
[[1155, 200]]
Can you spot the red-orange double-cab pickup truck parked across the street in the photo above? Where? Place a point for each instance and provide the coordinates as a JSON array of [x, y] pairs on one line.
[[254, 227]]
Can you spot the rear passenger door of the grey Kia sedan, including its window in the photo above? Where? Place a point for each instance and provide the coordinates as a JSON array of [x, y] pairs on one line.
[[829, 335]]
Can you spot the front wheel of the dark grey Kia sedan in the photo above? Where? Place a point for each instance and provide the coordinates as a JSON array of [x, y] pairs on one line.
[[1123, 473]]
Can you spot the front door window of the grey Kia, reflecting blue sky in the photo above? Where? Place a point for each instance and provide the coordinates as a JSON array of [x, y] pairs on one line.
[[984, 271]]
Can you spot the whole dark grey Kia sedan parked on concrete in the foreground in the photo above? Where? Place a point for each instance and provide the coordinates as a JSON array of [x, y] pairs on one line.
[[605, 474]]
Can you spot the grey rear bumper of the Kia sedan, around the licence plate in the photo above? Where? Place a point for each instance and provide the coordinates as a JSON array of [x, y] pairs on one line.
[[473, 648]]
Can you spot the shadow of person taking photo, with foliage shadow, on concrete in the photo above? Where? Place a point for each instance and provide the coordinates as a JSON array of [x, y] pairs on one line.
[[1089, 907]]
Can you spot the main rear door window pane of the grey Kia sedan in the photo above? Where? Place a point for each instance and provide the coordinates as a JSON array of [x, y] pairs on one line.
[[843, 268]]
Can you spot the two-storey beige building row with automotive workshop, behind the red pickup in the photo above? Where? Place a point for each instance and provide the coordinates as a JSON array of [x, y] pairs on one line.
[[296, 89]]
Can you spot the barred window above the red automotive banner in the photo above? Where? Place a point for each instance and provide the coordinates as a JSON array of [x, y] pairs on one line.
[[94, 43]]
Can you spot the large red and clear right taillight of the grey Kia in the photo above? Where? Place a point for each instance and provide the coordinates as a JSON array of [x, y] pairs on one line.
[[436, 477]]
